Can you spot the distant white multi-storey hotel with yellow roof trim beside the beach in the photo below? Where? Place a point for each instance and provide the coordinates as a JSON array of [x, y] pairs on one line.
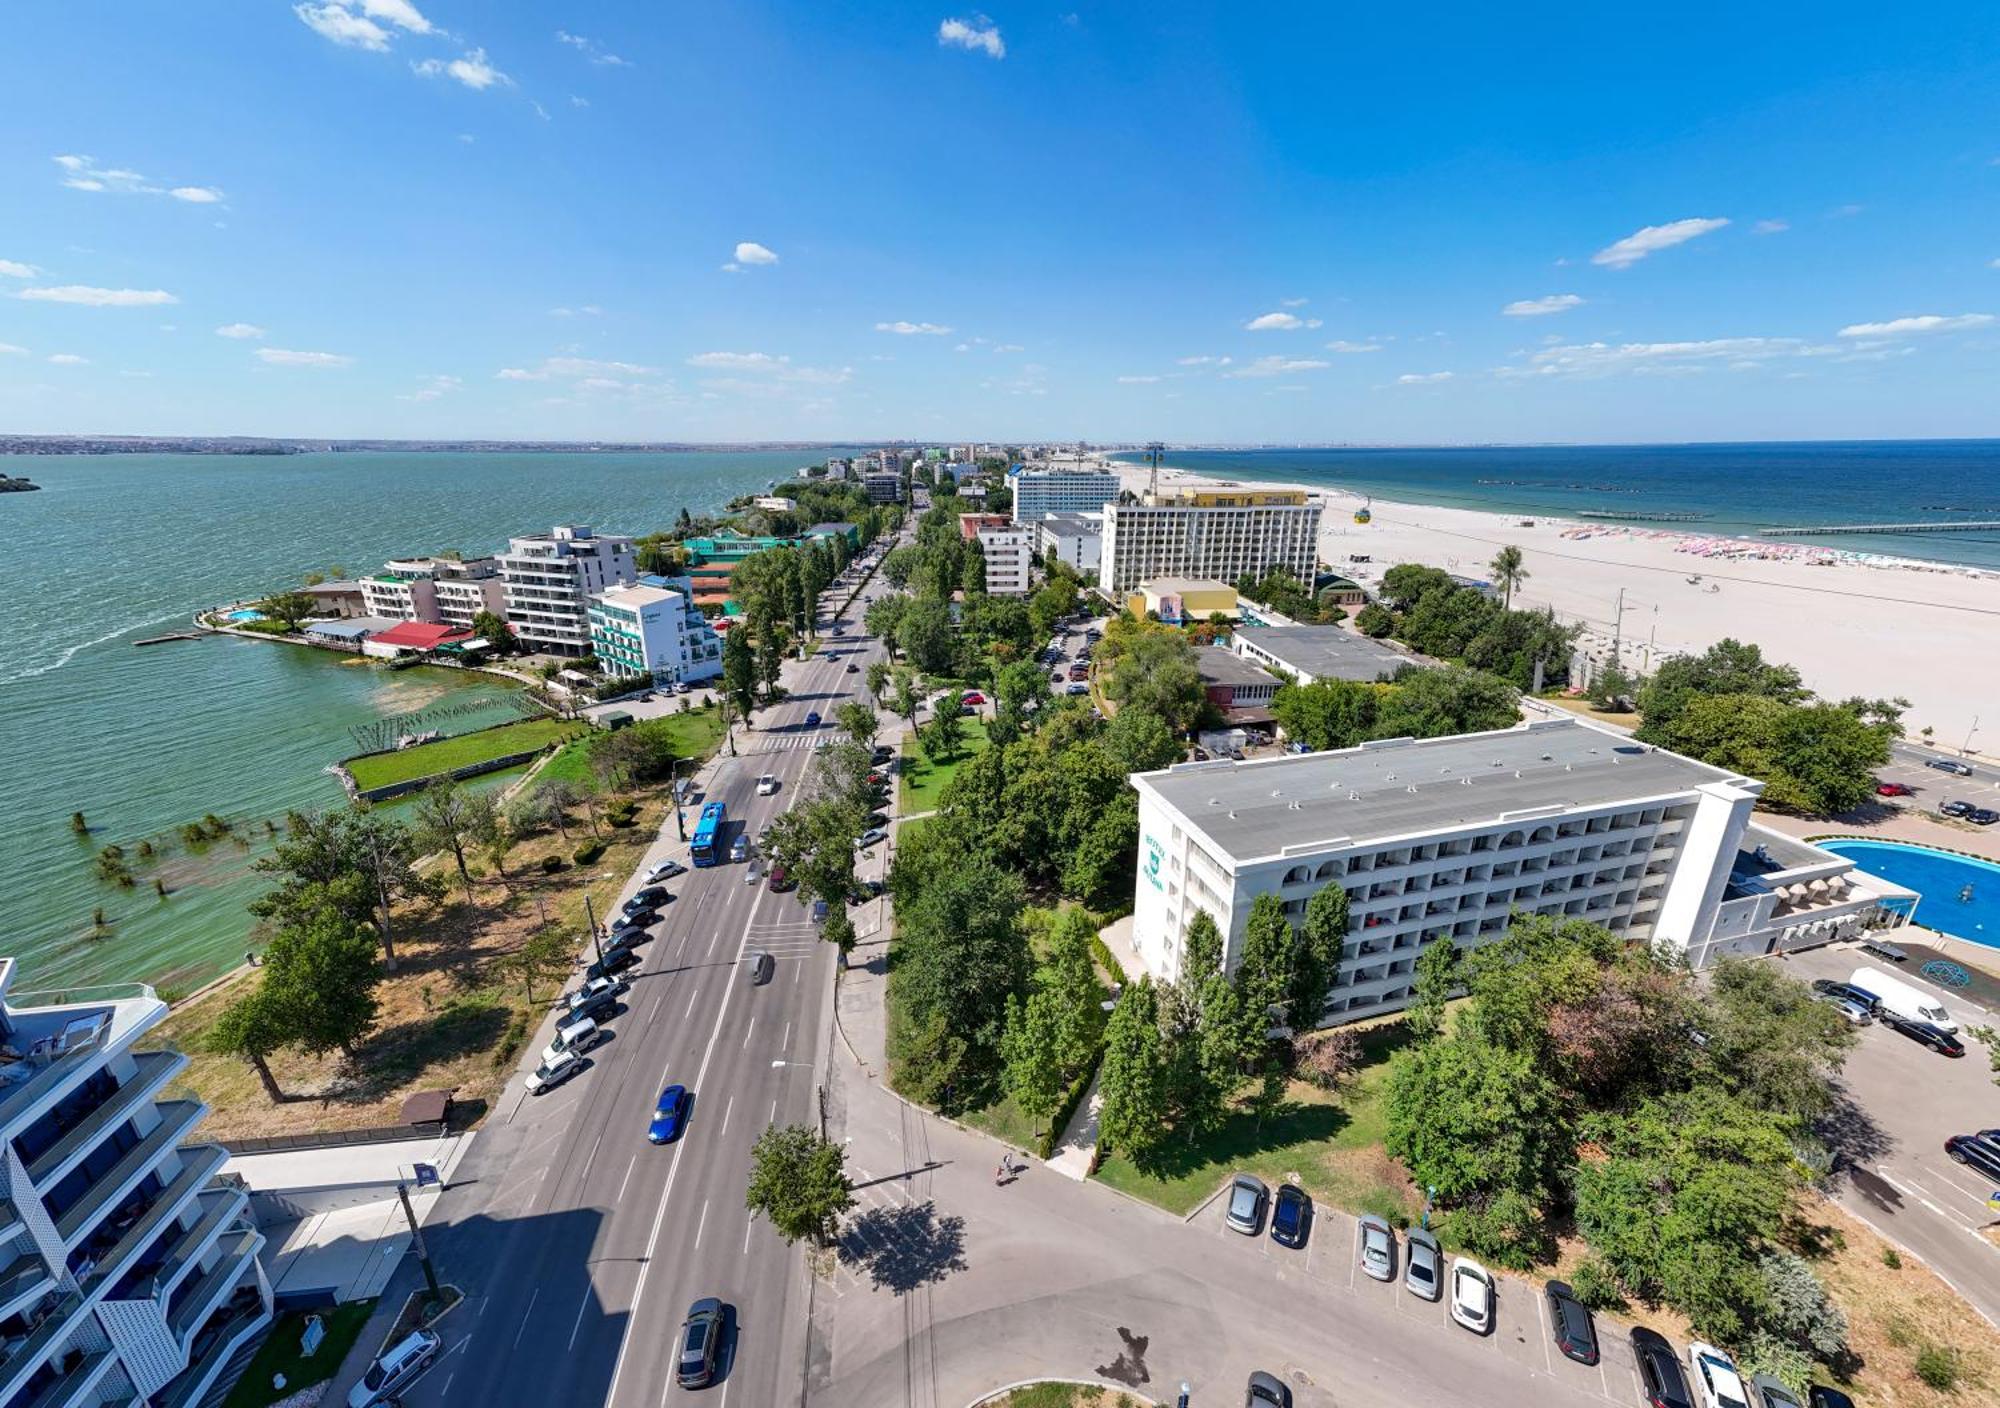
[[1217, 535]]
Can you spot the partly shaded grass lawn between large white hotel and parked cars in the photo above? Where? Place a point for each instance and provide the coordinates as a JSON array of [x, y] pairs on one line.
[[1327, 1143]]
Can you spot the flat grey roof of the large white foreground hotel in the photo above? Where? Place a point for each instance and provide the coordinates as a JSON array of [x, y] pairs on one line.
[[1407, 787]]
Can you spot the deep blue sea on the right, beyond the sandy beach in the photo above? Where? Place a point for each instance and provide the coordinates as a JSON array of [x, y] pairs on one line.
[[1737, 489]]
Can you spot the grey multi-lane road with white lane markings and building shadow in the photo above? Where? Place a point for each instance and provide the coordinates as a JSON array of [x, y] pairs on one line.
[[579, 1243]]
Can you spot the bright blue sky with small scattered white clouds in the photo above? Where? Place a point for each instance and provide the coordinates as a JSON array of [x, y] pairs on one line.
[[1211, 223]]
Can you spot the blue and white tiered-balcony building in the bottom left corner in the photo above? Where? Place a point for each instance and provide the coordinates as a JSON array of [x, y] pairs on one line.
[[127, 1271]]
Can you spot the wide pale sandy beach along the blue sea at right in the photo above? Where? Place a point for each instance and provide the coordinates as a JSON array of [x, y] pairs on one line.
[[1851, 623]]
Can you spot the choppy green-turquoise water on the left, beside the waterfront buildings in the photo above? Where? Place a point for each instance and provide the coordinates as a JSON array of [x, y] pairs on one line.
[[147, 739]]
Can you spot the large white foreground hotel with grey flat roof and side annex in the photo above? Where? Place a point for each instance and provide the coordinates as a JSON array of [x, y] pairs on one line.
[[1445, 839]]
